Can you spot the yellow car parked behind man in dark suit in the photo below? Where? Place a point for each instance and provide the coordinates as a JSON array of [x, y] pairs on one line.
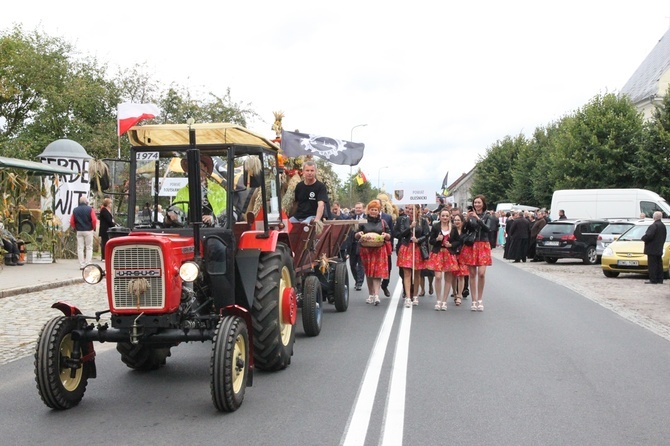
[[626, 253]]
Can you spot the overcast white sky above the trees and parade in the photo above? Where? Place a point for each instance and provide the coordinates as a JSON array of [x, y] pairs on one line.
[[437, 83]]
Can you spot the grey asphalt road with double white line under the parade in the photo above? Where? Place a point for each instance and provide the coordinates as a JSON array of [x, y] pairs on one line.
[[541, 365]]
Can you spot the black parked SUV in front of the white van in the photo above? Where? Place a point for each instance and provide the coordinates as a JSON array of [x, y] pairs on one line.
[[573, 239]]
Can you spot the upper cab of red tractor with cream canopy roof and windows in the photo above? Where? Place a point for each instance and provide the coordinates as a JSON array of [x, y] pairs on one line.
[[180, 173]]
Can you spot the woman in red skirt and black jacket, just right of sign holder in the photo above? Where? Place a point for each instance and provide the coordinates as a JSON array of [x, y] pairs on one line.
[[442, 260]]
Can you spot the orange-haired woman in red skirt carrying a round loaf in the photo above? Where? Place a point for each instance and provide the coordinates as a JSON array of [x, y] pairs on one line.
[[374, 260]]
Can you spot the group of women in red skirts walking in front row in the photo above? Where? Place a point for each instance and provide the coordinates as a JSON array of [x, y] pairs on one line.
[[454, 247]]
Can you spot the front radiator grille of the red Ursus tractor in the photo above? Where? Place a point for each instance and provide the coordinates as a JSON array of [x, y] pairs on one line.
[[138, 273]]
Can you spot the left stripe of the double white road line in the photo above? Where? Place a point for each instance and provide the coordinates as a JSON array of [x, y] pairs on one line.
[[359, 419]]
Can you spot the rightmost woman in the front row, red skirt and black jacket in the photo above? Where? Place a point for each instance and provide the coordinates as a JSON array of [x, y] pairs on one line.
[[477, 256]]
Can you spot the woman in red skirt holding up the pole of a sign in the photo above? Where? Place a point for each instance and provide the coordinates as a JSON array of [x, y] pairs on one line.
[[411, 232]]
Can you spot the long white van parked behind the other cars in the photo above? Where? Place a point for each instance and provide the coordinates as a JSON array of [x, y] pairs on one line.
[[607, 203]]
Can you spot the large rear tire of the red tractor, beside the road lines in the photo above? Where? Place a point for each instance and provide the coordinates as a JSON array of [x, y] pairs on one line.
[[273, 337]]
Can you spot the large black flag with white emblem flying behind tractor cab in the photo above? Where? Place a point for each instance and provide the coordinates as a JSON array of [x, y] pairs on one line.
[[336, 151]]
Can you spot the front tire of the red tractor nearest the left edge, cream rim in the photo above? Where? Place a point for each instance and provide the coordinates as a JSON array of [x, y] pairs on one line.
[[59, 386]]
